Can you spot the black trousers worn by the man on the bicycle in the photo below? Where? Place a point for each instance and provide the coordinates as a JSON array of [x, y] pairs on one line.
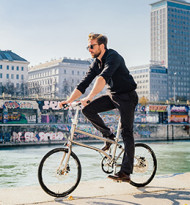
[[125, 103]]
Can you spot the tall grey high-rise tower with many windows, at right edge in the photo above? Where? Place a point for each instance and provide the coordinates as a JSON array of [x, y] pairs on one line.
[[170, 44]]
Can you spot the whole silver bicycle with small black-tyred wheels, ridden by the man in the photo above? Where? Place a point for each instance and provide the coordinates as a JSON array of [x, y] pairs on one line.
[[59, 171]]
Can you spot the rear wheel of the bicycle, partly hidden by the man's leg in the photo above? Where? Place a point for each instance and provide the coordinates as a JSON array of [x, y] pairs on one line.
[[145, 166]]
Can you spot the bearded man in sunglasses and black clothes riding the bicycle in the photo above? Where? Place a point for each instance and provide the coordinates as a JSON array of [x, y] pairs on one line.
[[109, 68]]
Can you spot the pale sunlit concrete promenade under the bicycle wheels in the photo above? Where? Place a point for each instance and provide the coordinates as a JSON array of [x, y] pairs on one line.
[[172, 189]]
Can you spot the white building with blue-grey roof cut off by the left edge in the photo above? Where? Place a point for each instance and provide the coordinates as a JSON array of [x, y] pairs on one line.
[[13, 72]]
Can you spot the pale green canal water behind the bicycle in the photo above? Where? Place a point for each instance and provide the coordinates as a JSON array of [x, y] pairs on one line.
[[19, 166]]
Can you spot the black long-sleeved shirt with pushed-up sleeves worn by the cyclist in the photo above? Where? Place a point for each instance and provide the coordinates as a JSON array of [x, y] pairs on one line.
[[113, 70]]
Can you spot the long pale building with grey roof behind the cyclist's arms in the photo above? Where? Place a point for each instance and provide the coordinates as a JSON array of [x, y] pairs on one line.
[[56, 78]]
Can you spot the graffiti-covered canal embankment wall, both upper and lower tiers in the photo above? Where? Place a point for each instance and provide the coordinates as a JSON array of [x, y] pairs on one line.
[[48, 112]]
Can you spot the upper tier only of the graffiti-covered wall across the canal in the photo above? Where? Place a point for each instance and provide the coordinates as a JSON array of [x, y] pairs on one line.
[[21, 112]]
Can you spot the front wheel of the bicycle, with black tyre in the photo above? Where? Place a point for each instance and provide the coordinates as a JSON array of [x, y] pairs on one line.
[[51, 177]]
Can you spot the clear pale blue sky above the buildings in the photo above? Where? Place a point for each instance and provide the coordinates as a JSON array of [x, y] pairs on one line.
[[42, 30]]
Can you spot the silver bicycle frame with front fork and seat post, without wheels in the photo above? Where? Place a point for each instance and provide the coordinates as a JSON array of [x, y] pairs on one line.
[[74, 130]]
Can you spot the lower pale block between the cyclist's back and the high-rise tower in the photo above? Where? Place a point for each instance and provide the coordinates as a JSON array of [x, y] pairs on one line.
[[151, 81]]
